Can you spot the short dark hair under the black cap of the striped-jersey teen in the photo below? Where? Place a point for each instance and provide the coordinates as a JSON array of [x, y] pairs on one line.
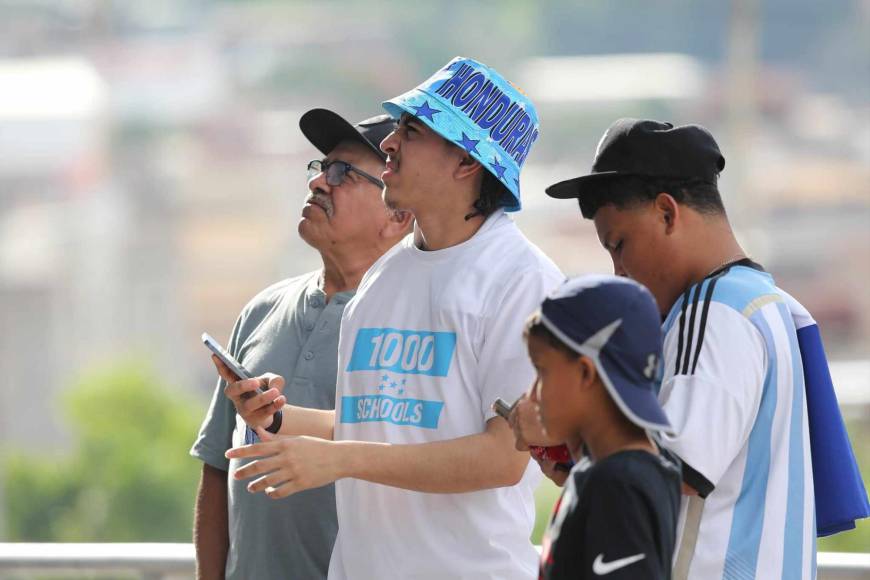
[[631, 190]]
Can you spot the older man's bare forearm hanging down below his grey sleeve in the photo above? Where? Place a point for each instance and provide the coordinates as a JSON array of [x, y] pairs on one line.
[[210, 525]]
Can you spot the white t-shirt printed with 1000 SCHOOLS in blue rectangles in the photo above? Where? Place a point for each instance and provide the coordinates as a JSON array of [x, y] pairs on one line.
[[428, 343]]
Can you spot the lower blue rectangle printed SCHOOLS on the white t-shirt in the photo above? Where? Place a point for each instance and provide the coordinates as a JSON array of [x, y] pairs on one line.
[[368, 408]]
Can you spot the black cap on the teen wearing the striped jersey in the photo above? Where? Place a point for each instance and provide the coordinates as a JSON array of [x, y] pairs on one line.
[[645, 148]]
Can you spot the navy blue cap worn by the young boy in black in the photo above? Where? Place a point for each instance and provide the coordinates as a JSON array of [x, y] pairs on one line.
[[615, 322]]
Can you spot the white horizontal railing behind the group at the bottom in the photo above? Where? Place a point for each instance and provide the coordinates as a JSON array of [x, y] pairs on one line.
[[164, 561]]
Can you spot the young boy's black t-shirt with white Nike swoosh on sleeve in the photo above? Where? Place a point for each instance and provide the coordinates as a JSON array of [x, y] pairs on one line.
[[616, 519]]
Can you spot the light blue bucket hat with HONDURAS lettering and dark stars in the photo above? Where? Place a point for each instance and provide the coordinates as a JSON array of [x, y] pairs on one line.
[[474, 107]]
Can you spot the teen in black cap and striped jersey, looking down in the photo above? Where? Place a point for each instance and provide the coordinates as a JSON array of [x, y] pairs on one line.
[[733, 384]]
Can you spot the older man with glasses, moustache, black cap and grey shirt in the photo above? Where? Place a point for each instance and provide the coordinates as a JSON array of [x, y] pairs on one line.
[[291, 329]]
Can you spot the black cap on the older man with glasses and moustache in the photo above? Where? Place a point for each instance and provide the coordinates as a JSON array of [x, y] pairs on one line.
[[325, 129]]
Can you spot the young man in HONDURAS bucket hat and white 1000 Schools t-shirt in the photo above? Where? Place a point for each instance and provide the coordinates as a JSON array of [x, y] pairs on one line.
[[429, 483]]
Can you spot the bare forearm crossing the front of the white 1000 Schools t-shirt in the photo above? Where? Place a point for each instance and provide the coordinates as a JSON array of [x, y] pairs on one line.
[[482, 461]]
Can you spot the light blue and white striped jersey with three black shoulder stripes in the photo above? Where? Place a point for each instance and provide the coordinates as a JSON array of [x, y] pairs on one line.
[[733, 389]]
